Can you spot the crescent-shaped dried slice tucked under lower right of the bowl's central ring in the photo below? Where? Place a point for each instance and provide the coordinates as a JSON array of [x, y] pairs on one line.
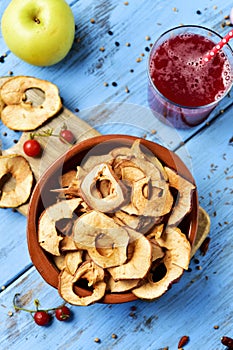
[[140, 262]]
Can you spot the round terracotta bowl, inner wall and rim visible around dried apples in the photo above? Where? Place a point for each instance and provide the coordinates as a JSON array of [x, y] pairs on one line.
[[42, 197]]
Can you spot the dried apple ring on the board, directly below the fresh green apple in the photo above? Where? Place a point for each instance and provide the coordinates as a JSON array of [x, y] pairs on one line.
[[20, 114]]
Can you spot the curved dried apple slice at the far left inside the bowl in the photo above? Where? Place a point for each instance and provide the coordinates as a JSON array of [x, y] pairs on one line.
[[47, 234]]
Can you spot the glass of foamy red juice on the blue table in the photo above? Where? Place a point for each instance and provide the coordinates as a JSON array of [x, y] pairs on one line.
[[183, 89]]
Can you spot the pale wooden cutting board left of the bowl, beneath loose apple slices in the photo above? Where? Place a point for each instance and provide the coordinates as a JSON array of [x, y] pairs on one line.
[[52, 146]]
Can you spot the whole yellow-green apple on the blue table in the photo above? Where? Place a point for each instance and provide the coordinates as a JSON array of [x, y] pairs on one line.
[[40, 32]]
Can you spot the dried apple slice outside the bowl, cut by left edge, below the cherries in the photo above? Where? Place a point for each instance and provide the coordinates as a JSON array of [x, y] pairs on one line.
[[19, 168]]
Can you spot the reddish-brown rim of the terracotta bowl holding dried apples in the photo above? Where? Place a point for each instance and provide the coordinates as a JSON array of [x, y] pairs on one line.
[[39, 257]]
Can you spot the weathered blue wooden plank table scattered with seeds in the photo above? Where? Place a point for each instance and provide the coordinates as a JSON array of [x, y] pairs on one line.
[[200, 305]]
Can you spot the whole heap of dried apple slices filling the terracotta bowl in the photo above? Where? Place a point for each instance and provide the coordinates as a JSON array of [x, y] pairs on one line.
[[115, 225]]
